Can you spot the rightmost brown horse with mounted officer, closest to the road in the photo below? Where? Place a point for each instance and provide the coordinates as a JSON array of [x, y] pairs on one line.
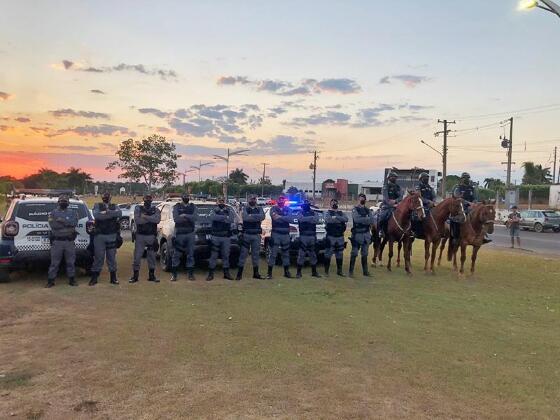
[[480, 220]]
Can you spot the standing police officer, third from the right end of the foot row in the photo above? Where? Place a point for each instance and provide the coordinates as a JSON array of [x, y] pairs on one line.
[[307, 221]]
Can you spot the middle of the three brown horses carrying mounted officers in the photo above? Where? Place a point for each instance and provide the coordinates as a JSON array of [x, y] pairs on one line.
[[434, 226]]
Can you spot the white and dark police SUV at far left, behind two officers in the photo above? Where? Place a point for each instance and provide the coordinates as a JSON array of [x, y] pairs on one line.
[[25, 232]]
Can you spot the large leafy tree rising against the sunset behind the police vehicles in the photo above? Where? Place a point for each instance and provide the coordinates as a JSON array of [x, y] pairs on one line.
[[151, 159]]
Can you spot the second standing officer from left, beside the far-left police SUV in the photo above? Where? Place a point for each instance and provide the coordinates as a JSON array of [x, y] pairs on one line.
[[106, 238]]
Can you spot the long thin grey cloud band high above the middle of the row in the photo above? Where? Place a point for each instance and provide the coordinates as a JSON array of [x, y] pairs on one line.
[[305, 87]]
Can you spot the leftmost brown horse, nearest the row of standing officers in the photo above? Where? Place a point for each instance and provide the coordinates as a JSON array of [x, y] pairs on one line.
[[399, 228]]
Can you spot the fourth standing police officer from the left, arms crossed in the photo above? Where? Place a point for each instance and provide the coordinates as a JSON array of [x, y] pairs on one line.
[[185, 215]]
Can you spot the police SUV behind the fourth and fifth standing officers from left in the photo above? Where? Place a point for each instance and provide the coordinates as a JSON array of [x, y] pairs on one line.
[[202, 229]]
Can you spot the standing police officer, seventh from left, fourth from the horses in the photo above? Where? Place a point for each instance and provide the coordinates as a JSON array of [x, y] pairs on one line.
[[280, 237]]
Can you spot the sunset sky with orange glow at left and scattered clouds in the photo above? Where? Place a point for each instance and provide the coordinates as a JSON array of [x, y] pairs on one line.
[[361, 82]]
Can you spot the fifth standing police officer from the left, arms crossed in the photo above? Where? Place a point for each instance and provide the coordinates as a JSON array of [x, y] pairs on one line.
[[221, 218]]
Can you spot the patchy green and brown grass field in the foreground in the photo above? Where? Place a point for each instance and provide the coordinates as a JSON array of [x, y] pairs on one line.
[[392, 346]]
